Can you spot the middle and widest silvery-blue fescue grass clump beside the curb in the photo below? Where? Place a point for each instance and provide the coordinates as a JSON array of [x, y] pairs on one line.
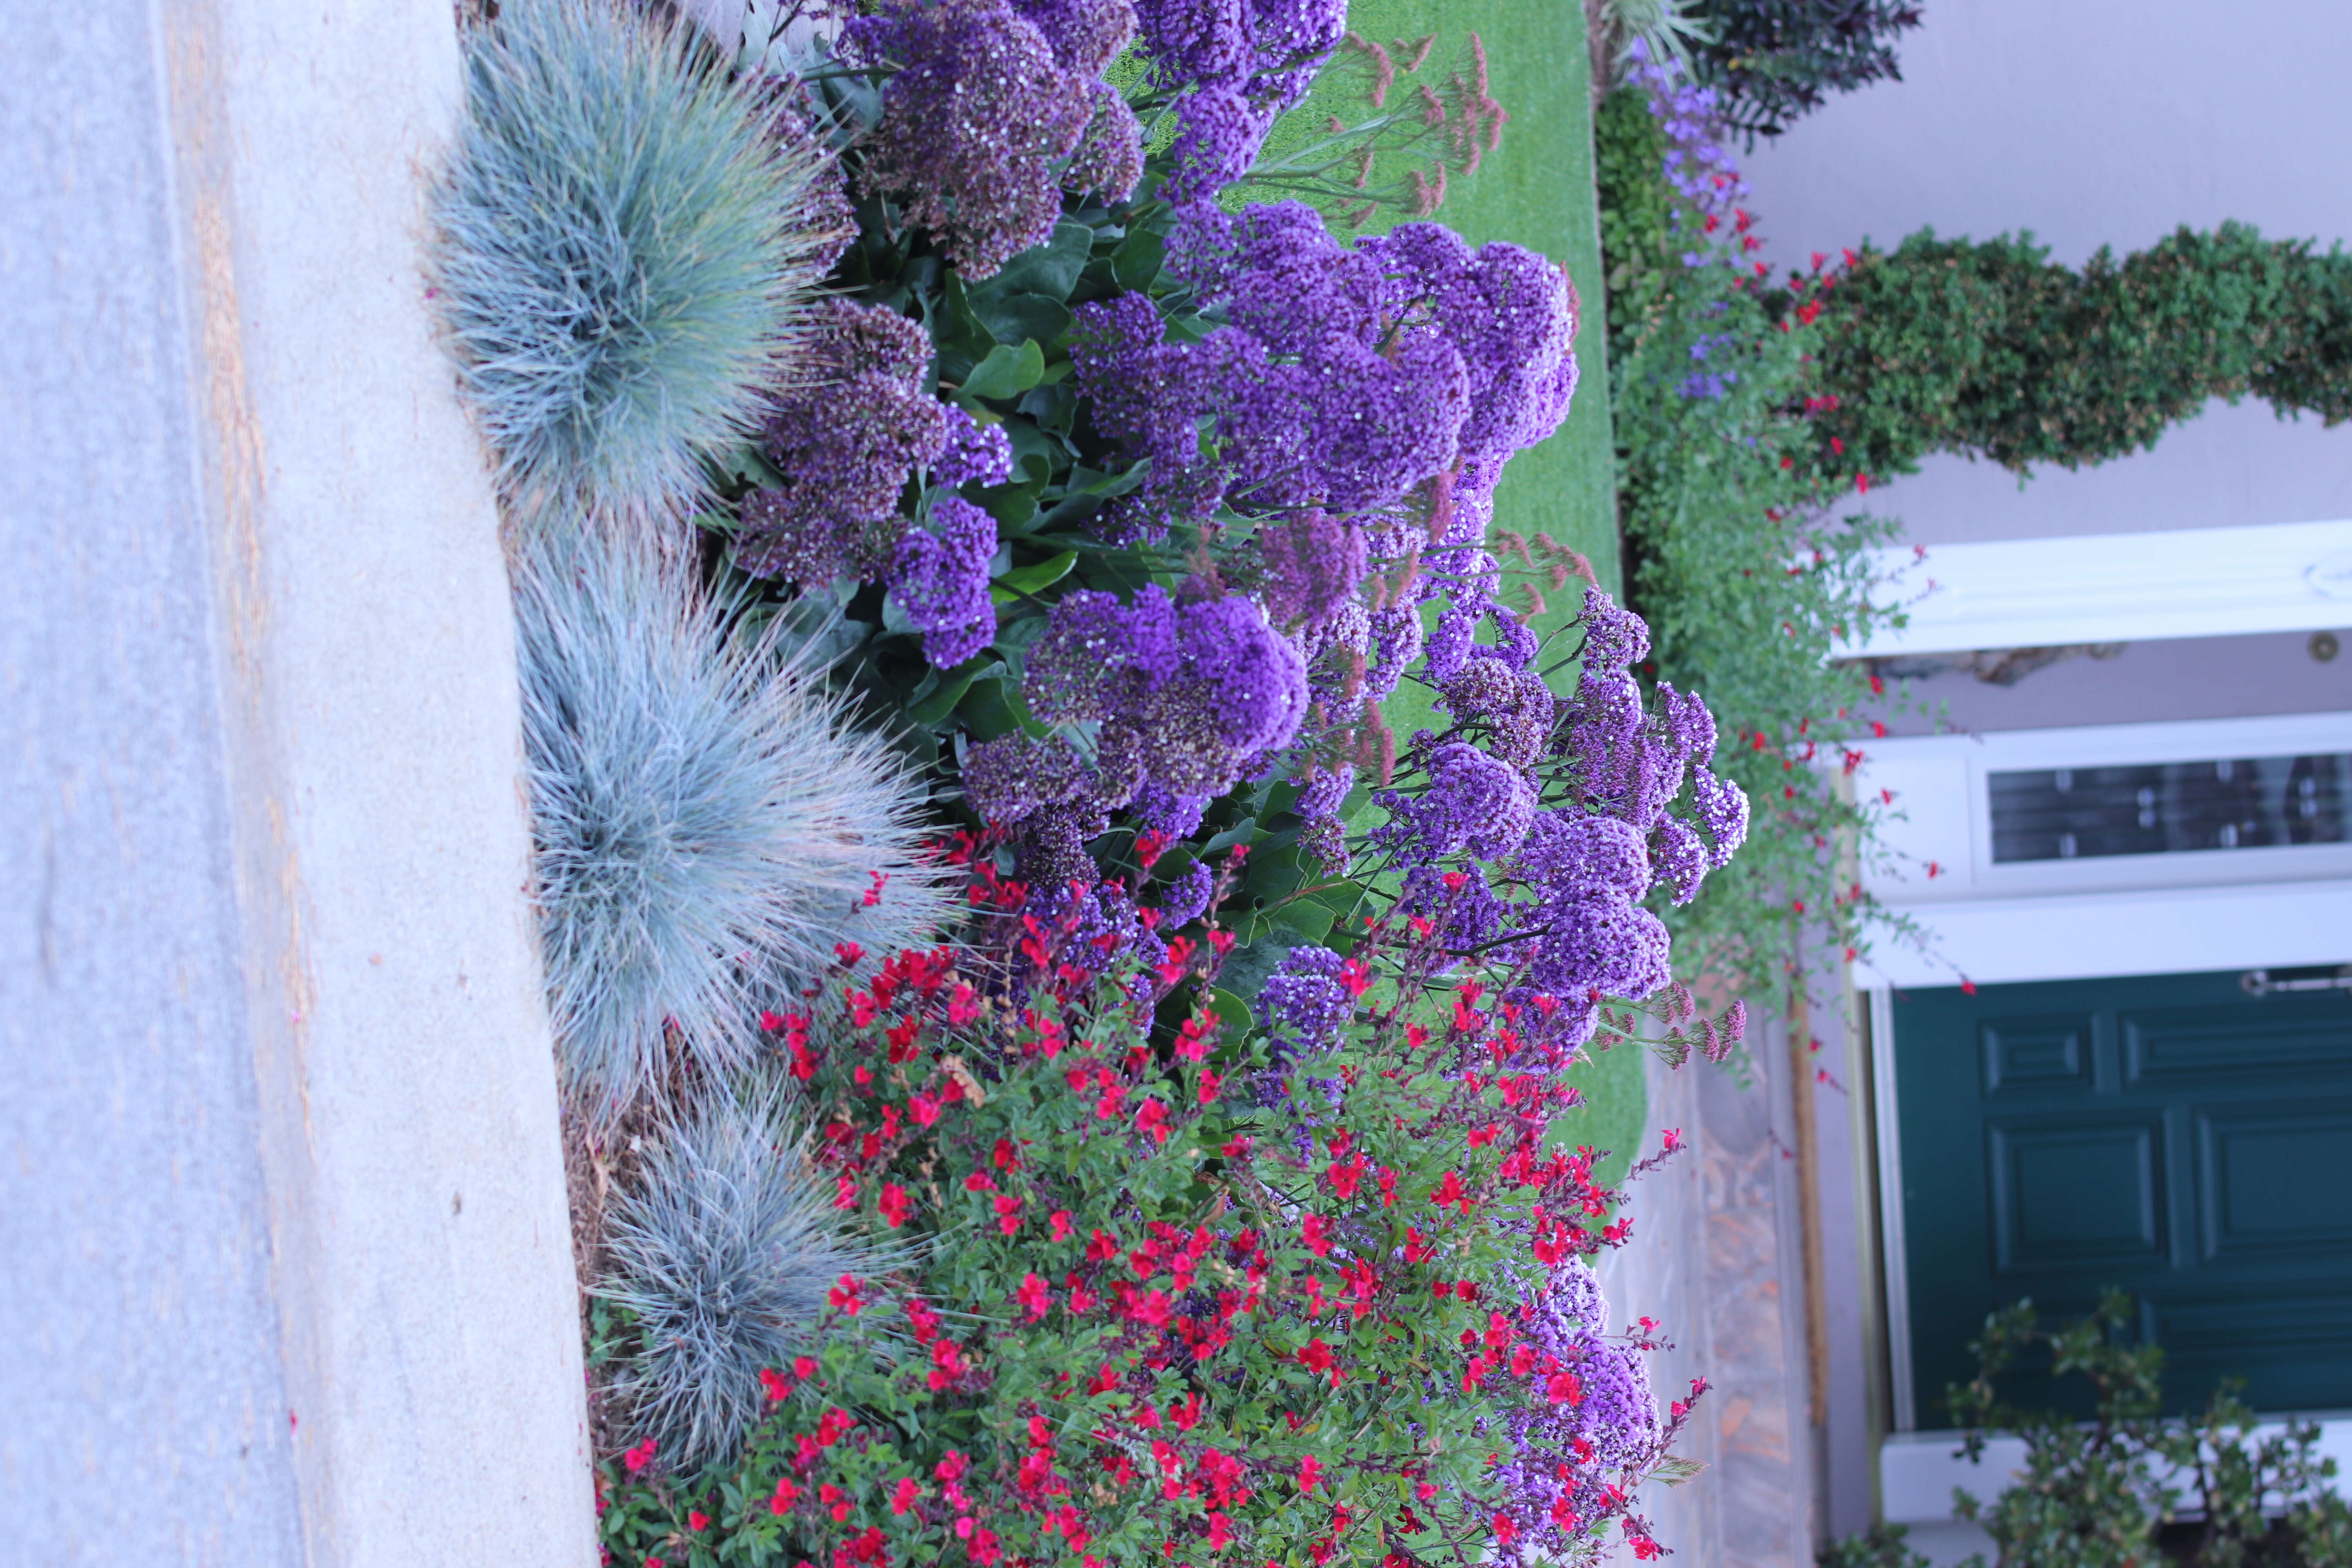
[[709, 824]]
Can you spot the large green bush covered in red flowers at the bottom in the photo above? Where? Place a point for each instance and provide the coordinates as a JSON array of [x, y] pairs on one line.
[[1170, 1289]]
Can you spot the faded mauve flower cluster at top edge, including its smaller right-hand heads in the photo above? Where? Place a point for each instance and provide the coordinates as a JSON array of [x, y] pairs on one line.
[[989, 109]]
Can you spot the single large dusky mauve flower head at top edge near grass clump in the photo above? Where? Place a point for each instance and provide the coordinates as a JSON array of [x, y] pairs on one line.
[[977, 119]]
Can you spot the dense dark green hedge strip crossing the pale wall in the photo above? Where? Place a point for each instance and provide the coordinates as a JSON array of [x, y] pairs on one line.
[[1991, 349]]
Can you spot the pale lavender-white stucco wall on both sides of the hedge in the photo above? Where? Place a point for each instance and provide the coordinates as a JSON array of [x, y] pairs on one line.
[[2092, 123]]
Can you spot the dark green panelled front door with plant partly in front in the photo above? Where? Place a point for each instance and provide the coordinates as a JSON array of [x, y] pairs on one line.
[[2172, 1137]]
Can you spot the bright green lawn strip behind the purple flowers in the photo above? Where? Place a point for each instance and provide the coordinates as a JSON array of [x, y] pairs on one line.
[[1537, 192]]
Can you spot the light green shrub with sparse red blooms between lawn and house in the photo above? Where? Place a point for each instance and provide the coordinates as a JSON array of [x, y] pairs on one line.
[[1742, 556]]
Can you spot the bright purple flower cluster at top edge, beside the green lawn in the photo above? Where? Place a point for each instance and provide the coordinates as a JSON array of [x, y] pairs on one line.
[[1238, 67]]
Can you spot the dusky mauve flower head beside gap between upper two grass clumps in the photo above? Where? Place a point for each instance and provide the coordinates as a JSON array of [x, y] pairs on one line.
[[846, 448]]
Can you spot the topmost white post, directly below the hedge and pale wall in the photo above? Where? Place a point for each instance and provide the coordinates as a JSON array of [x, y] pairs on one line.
[[2031, 594]]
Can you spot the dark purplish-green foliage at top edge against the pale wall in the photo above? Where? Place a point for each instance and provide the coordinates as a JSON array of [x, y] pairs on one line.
[[1779, 60]]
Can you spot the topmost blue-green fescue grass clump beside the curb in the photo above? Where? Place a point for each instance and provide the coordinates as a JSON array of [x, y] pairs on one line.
[[624, 253]]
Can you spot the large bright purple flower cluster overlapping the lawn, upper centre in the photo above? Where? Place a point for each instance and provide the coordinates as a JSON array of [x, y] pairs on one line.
[[1339, 380]]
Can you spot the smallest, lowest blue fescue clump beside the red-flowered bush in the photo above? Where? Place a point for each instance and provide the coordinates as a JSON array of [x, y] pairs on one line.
[[723, 1254]]
